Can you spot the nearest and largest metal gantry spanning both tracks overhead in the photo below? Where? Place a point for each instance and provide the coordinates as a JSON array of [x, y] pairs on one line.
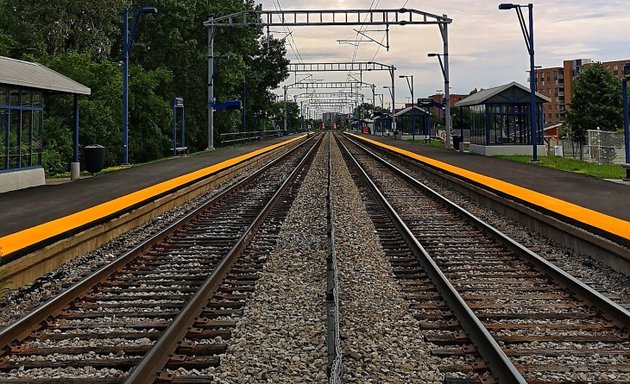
[[328, 17]]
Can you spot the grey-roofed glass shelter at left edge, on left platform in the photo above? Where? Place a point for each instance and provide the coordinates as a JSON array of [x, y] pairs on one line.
[[23, 86]]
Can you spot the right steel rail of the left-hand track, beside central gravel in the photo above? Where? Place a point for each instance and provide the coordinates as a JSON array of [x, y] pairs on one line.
[[163, 349]]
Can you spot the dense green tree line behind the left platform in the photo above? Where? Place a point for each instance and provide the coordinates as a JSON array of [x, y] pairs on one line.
[[82, 40]]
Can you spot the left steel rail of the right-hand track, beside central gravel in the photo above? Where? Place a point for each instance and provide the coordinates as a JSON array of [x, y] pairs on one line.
[[498, 362]]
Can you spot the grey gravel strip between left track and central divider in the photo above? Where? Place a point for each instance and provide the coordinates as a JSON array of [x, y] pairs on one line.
[[281, 338]]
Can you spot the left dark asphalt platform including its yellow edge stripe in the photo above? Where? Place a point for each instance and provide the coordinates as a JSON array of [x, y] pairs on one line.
[[35, 214]]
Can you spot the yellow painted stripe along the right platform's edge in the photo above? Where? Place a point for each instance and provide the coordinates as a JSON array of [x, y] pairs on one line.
[[587, 216]]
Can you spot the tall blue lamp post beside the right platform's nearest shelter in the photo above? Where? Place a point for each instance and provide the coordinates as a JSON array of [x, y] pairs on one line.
[[529, 42]]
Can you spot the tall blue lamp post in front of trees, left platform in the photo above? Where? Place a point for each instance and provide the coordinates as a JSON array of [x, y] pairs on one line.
[[127, 42]]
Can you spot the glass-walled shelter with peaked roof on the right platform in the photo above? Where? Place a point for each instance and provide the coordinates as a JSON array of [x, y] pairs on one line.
[[500, 120]]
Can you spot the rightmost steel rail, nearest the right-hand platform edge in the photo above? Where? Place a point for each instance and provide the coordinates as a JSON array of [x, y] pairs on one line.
[[610, 309]]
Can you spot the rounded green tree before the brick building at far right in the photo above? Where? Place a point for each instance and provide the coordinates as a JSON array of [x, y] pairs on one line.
[[596, 102]]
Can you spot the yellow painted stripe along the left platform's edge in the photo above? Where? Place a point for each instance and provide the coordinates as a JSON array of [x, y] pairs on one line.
[[27, 237]]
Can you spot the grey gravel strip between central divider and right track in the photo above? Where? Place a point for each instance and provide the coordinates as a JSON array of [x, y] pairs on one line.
[[381, 340]]
